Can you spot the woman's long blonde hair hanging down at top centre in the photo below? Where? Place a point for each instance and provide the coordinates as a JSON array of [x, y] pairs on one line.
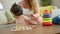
[[32, 5]]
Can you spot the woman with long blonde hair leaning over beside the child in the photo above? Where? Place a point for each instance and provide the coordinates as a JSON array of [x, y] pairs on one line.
[[31, 10]]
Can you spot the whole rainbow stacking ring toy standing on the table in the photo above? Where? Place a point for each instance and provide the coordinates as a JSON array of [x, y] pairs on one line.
[[47, 20]]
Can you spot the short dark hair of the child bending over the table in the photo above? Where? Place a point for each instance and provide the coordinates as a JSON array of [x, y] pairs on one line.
[[16, 10]]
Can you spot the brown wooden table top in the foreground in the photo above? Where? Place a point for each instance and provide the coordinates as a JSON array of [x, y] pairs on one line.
[[39, 30]]
